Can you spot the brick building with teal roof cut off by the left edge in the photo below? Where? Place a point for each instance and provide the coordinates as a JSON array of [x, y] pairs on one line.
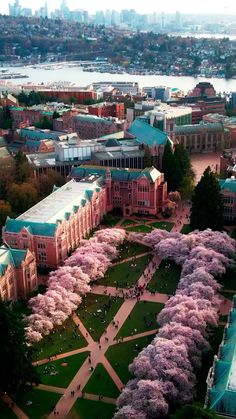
[[18, 274]]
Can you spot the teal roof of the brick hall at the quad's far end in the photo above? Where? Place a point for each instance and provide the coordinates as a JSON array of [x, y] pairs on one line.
[[116, 174]]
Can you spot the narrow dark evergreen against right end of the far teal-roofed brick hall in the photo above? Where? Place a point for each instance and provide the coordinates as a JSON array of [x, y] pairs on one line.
[[171, 168]]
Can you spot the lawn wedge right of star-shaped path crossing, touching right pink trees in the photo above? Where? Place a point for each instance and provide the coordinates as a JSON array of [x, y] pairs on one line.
[[122, 354]]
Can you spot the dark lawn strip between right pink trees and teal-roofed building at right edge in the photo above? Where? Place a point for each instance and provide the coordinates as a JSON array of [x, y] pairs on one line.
[[207, 362]]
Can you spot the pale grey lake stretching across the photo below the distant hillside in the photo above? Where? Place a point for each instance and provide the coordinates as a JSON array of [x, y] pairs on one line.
[[80, 78]]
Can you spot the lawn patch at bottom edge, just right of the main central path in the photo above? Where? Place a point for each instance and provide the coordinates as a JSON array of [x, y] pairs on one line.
[[96, 409]]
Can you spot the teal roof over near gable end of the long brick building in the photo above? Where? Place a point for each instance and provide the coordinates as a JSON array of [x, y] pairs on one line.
[[38, 229]]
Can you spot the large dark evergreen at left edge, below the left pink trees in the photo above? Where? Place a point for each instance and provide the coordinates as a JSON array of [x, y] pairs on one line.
[[16, 368]]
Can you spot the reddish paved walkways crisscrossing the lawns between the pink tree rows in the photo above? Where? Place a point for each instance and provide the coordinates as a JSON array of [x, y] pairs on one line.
[[97, 350]]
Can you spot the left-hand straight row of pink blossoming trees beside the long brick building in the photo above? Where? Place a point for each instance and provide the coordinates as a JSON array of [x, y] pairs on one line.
[[69, 283]]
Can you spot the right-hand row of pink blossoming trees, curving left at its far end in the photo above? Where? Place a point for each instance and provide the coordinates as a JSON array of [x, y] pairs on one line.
[[164, 370]]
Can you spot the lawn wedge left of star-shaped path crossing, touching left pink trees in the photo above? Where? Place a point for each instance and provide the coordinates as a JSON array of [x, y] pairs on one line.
[[62, 339]]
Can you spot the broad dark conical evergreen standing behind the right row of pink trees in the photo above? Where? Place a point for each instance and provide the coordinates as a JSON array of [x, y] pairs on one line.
[[207, 203]]
